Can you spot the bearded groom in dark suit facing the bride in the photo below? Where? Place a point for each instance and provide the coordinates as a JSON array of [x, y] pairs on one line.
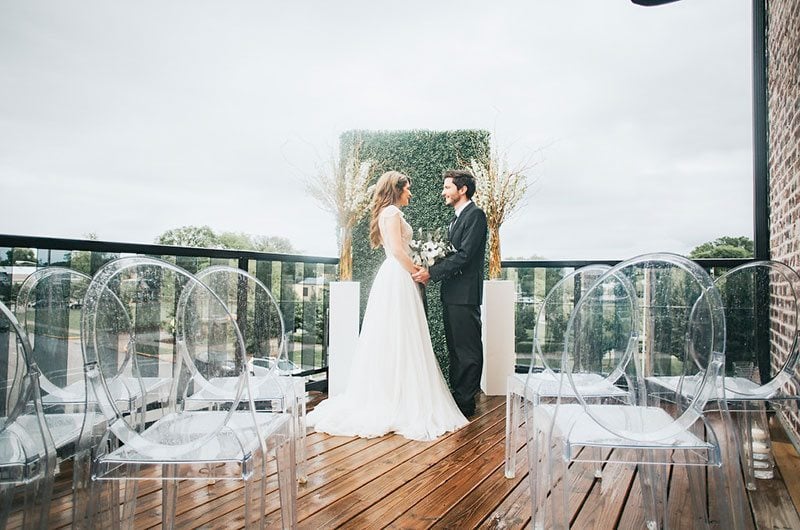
[[461, 275]]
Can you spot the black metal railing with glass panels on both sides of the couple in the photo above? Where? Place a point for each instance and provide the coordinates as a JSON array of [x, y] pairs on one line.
[[299, 283]]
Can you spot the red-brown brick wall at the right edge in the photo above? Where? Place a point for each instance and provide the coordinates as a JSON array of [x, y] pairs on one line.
[[783, 101]]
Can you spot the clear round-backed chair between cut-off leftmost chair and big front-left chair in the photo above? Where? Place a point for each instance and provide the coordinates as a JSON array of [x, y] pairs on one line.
[[49, 308]]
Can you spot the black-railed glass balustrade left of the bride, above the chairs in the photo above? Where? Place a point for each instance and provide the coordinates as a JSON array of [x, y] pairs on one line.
[[298, 283]]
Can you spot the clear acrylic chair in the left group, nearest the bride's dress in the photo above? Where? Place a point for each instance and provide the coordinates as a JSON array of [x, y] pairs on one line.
[[259, 317]]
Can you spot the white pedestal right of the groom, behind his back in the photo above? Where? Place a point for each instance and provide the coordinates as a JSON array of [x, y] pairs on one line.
[[497, 315]]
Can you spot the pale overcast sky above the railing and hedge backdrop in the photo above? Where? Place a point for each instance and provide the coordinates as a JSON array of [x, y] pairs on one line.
[[130, 118]]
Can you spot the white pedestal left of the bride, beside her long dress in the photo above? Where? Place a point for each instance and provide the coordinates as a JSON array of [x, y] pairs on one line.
[[344, 314]]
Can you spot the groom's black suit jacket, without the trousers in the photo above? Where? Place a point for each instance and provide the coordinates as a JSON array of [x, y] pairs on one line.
[[461, 273]]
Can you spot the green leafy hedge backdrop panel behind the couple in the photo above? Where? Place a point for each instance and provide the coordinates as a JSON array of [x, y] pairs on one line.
[[423, 156]]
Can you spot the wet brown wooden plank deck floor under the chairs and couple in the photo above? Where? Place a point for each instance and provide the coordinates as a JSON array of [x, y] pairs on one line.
[[454, 482]]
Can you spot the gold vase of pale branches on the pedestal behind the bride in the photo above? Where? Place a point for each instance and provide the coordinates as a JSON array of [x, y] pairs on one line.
[[345, 191]]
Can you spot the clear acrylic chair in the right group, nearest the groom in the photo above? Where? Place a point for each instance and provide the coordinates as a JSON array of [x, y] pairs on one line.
[[548, 342]]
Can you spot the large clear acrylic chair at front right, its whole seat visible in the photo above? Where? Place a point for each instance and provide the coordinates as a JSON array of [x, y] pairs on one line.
[[682, 323]]
